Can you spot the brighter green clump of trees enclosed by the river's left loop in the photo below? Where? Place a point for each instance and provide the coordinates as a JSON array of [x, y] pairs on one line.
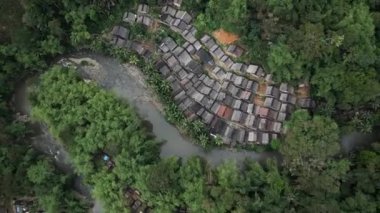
[[91, 121]]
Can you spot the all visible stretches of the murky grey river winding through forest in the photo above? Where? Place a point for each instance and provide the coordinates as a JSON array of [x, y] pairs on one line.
[[127, 83]]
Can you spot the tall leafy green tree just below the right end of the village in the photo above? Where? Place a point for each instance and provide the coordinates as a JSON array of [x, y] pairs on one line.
[[308, 151]]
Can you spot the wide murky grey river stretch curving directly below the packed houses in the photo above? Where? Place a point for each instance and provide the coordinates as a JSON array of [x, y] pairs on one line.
[[127, 83]]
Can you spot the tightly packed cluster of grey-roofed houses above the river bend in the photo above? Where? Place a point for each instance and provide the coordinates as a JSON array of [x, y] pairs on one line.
[[237, 101]]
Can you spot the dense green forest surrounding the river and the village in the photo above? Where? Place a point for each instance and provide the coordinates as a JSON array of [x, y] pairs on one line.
[[334, 45]]
